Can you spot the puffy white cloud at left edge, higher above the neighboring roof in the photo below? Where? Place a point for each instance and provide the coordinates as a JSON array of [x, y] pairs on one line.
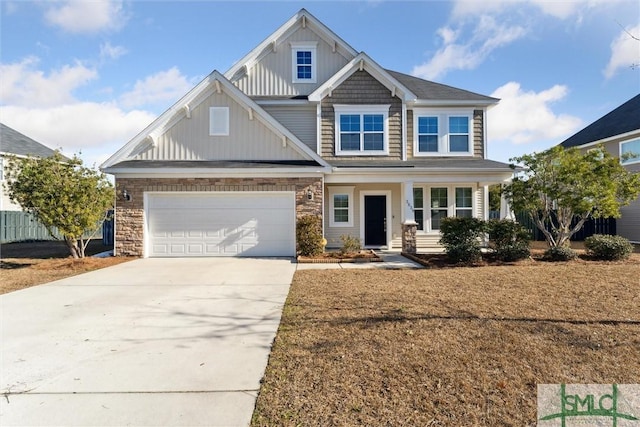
[[23, 84]]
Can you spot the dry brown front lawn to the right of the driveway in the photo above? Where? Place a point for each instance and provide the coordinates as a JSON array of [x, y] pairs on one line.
[[448, 346]]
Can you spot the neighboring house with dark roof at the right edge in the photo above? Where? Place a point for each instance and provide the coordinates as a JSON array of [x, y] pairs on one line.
[[619, 133]]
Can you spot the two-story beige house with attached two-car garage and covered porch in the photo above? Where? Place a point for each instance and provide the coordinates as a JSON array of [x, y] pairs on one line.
[[303, 124]]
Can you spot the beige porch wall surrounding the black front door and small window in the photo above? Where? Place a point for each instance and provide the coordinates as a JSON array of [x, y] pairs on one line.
[[332, 234]]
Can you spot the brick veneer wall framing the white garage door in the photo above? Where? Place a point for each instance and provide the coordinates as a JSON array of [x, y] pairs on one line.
[[129, 216]]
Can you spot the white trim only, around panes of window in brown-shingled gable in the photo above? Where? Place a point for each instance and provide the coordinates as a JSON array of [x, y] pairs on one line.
[[362, 110]]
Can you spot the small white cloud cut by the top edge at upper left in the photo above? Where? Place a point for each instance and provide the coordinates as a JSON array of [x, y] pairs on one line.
[[83, 16]]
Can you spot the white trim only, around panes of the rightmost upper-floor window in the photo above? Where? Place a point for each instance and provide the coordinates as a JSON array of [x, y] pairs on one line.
[[444, 142]]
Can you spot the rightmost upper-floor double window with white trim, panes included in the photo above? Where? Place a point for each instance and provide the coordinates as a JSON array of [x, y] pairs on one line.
[[442, 133]]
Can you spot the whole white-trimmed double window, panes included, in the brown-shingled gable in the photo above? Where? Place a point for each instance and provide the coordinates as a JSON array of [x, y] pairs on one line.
[[361, 129]]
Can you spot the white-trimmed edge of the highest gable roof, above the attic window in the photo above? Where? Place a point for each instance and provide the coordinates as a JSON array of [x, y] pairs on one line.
[[301, 19]]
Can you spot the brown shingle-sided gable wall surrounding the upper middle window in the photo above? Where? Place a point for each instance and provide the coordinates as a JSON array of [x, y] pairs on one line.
[[361, 88]]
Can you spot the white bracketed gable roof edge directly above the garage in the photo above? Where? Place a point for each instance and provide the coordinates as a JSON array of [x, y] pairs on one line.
[[182, 108]]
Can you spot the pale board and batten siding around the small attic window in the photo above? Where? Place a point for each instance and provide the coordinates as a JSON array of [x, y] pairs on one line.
[[272, 75]]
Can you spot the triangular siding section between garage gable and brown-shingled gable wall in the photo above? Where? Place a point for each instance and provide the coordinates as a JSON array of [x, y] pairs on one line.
[[300, 120]]
